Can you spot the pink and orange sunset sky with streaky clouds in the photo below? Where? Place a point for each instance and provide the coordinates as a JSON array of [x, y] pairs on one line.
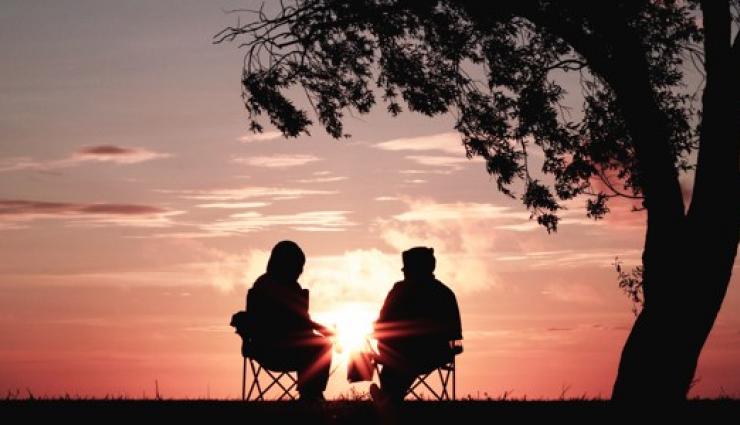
[[136, 209]]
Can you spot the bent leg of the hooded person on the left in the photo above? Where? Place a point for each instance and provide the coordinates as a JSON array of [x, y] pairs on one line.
[[314, 365]]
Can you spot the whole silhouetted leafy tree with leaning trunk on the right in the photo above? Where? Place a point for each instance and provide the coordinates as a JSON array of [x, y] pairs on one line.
[[498, 67]]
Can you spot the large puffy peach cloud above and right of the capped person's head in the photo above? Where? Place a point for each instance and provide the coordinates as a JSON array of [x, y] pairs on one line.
[[475, 241]]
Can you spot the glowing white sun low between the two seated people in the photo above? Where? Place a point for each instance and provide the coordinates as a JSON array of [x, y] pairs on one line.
[[353, 324]]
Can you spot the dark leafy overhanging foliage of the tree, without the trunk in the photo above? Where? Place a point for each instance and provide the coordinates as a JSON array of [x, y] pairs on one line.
[[497, 68]]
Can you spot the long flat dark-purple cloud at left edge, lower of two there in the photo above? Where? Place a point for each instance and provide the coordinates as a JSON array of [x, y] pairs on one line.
[[89, 214]]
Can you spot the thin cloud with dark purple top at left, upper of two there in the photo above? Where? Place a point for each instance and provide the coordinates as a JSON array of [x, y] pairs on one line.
[[100, 153]]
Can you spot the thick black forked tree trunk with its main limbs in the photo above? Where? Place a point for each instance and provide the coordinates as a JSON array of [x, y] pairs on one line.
[[687, 258]]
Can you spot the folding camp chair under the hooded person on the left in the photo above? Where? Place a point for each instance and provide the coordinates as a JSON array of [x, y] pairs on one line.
[[282, 382]]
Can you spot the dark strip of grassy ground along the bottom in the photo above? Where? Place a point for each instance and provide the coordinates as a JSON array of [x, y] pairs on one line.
[[362, 412]]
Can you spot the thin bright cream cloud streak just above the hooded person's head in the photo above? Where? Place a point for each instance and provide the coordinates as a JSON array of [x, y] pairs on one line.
[[252, 221]]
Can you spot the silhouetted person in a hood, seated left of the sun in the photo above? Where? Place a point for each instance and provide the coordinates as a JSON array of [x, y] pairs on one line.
[[281, 330]]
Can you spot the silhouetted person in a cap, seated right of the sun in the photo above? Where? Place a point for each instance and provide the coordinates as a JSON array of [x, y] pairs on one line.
[[419, 319]]
